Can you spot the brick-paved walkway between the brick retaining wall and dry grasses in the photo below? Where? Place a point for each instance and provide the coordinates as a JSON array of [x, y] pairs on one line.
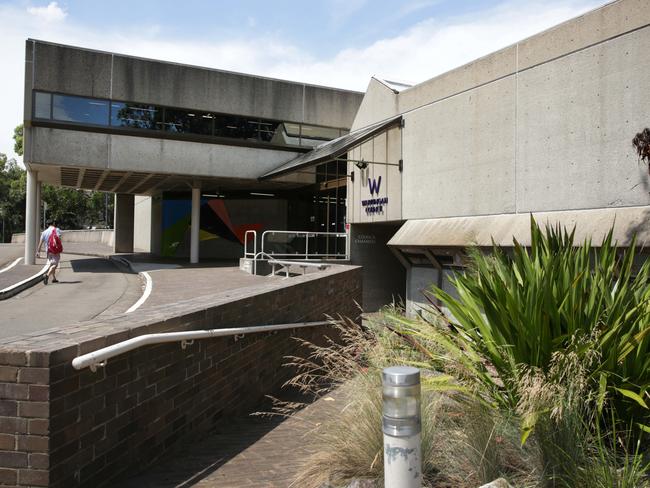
[[246, 452]]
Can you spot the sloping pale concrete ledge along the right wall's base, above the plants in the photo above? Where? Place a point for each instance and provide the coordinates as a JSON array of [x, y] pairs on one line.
[[481, 230]]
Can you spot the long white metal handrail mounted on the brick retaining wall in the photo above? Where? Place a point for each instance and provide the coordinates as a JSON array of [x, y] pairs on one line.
[[101, 356]]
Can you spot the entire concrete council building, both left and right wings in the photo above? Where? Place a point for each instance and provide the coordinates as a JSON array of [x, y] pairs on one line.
[[541, 127]]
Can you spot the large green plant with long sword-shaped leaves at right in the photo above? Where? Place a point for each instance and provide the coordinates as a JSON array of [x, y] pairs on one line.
[[521, 308]]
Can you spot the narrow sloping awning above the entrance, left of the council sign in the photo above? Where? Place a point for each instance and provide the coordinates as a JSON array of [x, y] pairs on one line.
[[334, 148]]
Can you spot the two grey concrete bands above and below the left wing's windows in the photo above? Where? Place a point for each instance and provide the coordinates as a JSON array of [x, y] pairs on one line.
[[113, 76]]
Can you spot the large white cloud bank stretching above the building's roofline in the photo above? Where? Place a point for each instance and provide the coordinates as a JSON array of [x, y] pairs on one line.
[[426, 49]]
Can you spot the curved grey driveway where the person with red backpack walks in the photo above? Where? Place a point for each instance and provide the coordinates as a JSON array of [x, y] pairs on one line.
[[88, 287]]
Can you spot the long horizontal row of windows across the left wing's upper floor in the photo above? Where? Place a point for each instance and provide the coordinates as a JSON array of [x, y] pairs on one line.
[[107, 113]]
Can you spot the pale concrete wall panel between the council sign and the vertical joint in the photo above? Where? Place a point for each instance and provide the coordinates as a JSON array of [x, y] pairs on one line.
[[459, 154]]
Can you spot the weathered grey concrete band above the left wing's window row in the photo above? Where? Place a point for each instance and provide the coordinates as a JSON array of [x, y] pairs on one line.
[[120, 77]]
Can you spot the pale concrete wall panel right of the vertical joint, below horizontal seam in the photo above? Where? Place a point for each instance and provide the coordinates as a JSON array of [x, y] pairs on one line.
[[576, 119]]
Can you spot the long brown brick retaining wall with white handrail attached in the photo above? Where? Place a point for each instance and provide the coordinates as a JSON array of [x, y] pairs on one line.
[[65, 428]]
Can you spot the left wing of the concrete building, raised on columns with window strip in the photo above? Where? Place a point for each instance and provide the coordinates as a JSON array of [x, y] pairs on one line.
[[177, 145]]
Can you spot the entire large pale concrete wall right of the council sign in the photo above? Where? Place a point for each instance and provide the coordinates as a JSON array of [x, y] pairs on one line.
[[545, 124]]
